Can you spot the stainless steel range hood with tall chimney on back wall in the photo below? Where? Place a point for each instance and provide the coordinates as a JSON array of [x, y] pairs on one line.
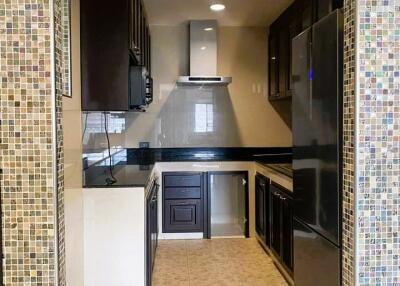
[[203, 55]]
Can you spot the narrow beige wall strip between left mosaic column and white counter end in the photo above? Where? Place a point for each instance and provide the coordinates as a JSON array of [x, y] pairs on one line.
[[73, 195]]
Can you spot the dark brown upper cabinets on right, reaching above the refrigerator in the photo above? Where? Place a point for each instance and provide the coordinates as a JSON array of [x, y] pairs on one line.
[[298, 17]]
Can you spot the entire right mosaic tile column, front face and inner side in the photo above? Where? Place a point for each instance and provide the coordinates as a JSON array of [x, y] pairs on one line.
[[371, 243]]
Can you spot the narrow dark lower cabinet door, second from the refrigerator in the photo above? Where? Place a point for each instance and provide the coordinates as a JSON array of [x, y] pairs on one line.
[[276, 221]]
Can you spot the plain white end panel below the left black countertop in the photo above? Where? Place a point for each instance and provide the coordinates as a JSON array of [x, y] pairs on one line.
[[114, 228]]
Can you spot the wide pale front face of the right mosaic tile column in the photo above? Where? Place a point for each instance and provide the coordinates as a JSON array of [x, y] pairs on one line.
[[378, 143]]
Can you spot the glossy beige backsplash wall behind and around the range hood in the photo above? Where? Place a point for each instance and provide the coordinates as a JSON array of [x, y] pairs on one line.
[[239, 115]]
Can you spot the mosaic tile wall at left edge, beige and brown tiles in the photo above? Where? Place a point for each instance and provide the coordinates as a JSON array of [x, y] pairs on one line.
[[26, 145]]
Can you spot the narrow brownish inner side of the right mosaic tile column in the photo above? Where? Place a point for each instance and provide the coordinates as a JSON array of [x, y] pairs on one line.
[[348, 143]]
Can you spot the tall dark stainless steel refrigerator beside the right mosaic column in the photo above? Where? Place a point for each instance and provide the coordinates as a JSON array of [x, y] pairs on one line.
[[317, 69]]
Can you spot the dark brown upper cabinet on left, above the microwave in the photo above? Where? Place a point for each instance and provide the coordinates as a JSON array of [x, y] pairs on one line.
[[113, 39]]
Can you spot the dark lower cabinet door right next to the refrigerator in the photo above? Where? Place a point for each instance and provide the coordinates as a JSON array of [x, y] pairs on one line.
[[287, 232]]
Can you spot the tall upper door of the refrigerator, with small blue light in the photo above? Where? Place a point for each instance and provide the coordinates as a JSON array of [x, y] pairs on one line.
[[317, 129]]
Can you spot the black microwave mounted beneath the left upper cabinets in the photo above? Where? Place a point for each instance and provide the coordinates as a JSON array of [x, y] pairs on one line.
[[140, 88]]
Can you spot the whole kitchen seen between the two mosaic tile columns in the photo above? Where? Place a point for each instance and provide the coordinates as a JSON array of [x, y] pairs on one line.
[[188, 136]]
